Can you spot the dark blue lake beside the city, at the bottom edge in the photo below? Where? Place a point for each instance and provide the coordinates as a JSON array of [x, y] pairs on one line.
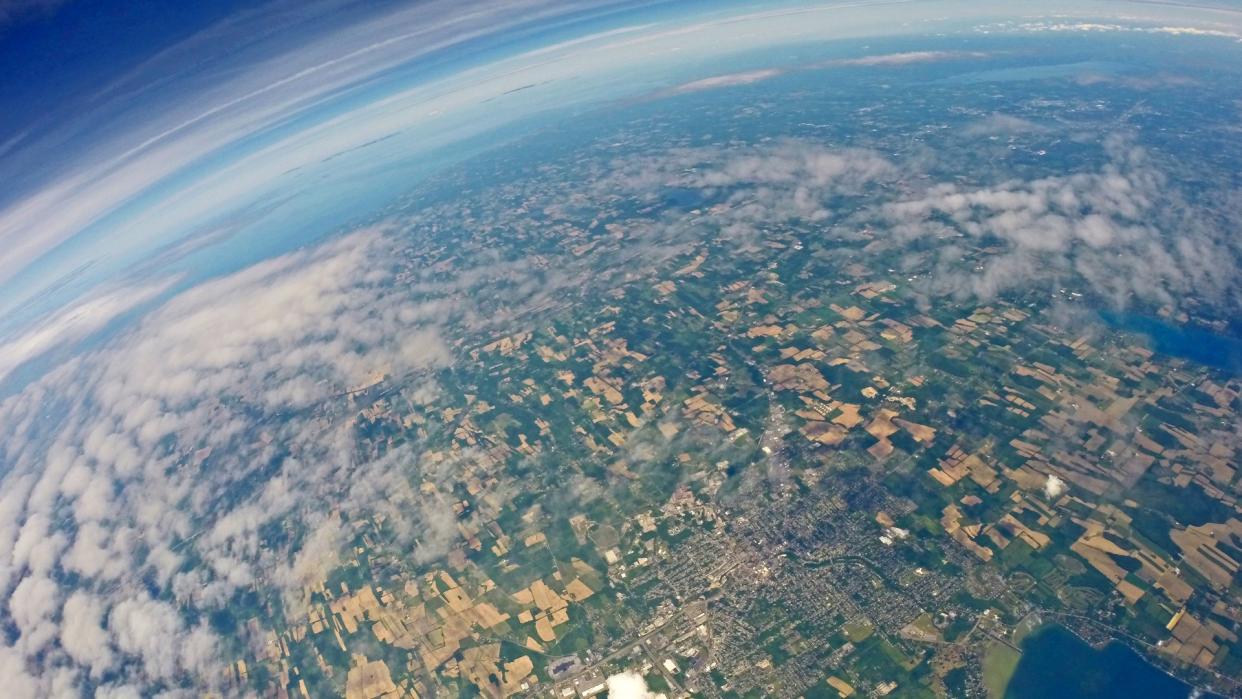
[[1058, 664]]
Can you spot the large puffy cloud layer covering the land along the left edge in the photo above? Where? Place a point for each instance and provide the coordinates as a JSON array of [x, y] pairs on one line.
[[175, 445]]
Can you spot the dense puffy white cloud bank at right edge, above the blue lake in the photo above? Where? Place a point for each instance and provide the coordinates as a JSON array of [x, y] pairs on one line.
[[1121, 233]]
